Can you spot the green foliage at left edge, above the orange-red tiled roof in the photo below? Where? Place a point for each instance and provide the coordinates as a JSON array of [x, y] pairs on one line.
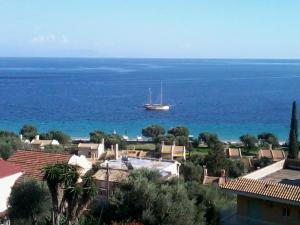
[[9, 142]]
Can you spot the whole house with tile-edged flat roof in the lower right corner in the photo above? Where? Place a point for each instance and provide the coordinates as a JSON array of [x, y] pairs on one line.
[[270, 195]]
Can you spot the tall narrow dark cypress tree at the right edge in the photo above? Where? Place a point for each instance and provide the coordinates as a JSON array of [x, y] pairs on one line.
[[293, 136]]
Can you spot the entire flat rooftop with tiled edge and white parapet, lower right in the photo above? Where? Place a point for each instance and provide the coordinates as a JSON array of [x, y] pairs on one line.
[[279, 181]]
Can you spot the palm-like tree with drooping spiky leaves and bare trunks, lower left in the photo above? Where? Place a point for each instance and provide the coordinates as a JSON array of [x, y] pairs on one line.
[[67, 193]]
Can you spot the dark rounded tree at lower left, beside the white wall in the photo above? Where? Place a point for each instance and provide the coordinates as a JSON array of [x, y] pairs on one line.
[[29, 201]]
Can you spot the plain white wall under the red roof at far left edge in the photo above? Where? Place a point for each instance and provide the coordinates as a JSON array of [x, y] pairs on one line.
[[6, 184]]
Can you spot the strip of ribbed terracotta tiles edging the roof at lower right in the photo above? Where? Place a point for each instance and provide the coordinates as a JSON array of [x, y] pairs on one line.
[[264, 188]]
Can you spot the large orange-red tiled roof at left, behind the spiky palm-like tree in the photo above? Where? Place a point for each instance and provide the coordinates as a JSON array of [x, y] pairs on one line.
[[32, 162]]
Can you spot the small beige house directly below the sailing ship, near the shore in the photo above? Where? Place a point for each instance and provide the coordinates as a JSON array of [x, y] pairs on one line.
[[172, 151]]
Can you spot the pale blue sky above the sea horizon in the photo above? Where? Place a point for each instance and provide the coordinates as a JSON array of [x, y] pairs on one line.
[[150, 28]]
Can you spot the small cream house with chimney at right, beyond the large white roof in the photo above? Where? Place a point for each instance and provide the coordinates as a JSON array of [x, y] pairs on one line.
[[91, 150]]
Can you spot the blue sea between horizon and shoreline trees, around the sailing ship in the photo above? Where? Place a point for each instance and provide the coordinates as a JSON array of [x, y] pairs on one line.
[[78, 95]]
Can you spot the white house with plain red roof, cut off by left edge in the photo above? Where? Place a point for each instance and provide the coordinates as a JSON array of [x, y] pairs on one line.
[[9, 174]]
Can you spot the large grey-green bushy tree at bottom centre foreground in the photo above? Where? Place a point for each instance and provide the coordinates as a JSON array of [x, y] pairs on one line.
[[146, 198]]
